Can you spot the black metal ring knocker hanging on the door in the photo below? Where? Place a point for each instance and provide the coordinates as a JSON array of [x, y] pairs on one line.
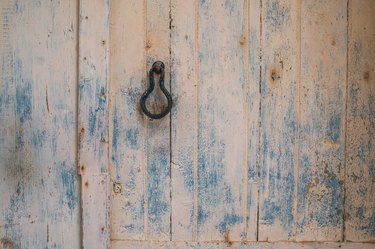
[[157, 68]]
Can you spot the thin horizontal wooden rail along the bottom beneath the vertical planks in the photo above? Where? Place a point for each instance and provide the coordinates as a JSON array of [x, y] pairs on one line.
[[238, 245]]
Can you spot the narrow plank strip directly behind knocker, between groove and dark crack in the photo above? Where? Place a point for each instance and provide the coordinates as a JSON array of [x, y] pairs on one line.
[[158, 201]]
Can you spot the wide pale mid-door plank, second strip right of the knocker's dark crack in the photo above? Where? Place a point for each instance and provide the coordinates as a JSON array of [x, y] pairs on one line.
[[222, 96]]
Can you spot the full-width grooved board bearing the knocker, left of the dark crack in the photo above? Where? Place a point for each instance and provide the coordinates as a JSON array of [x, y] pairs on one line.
[[140, 147]]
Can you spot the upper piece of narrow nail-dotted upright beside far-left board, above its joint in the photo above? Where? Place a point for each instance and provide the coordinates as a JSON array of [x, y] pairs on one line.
[[93, 86]]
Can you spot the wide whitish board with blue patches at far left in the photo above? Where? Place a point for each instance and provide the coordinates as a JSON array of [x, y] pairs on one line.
[[39, 204]]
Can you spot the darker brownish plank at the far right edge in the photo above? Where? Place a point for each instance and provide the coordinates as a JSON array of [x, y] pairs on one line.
[[360, 167]]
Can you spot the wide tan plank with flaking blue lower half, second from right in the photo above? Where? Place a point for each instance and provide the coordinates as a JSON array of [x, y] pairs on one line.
[[322, 123]]
